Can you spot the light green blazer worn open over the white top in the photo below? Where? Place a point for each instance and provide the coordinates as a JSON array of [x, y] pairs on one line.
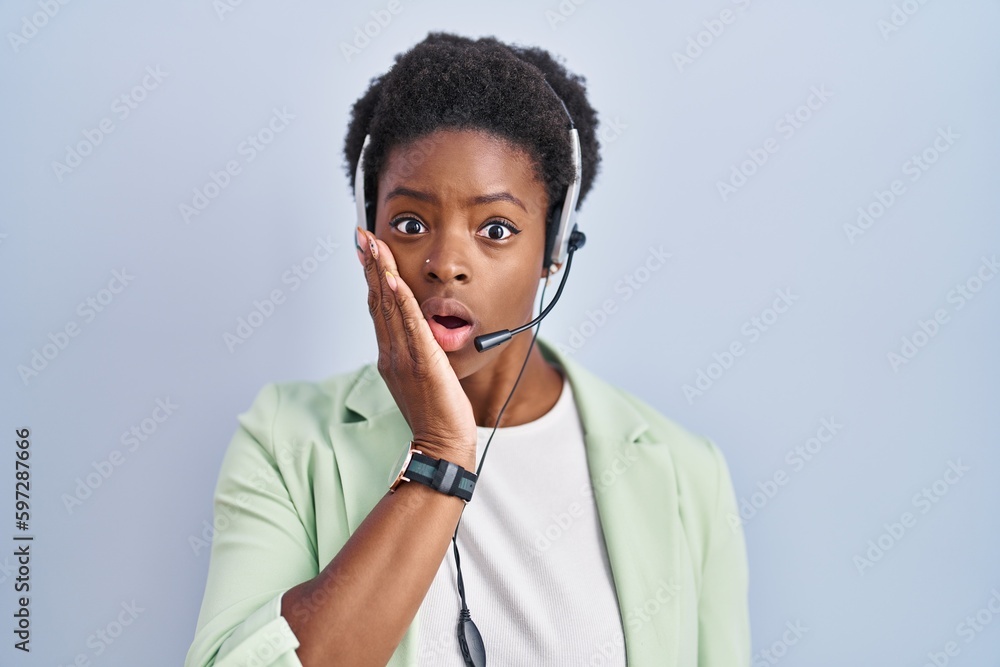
[[310, 460]]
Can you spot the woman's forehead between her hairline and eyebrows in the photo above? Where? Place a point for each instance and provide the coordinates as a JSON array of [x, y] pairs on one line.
[[463, 163]]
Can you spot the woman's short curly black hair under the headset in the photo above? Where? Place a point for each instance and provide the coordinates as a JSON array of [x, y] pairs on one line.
[[453, 82]]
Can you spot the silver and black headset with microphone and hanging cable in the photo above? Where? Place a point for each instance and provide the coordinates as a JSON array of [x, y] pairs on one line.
[[567, 240]]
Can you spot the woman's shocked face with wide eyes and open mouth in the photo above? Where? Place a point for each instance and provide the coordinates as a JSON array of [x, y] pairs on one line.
[[464, 215]]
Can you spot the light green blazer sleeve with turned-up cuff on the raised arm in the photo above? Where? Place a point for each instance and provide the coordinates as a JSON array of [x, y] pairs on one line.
[[260, 549]]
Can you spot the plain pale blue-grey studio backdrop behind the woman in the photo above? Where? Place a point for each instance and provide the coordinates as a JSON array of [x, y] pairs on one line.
[[792, 249]]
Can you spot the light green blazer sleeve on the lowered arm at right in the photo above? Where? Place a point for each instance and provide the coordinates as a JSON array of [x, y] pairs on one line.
[[723, 609]]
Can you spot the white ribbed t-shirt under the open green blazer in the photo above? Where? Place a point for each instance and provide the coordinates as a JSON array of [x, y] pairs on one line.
[[537, 578]]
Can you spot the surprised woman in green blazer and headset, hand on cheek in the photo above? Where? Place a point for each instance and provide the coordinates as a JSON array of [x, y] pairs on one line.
[[601, 533]]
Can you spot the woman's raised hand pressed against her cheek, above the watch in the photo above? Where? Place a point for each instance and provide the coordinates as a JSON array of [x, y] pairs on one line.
[[415, 368]]
